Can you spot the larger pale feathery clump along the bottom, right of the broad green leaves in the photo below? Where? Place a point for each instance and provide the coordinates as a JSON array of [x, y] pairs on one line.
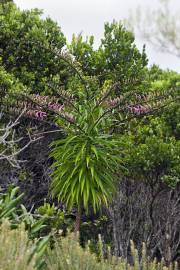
[[69, 255]]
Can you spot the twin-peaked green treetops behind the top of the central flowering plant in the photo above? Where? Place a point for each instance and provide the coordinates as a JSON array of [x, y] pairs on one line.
[[116, 59]]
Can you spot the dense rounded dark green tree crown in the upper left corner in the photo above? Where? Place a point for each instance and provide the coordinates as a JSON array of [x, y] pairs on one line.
[[26, 43]]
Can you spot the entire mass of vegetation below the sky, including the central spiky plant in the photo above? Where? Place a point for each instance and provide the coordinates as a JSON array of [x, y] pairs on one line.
[[89, 149]]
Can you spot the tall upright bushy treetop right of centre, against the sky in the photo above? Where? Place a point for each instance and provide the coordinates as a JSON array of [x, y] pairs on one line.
[[121, 57]]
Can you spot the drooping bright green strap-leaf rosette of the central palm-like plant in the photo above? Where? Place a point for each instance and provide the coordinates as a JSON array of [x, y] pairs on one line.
[[84, 167]]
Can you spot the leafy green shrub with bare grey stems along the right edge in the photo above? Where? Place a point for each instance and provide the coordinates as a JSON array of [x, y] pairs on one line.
[[147, 202]]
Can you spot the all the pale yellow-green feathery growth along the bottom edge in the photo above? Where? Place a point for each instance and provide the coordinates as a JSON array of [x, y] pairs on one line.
[[16, 254]]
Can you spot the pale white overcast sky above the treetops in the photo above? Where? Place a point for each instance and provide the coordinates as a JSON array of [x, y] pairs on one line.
[[88, 17]]
